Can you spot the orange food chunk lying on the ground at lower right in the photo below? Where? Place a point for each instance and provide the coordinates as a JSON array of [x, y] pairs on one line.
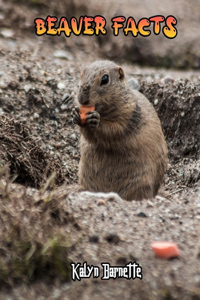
[[165, 249]]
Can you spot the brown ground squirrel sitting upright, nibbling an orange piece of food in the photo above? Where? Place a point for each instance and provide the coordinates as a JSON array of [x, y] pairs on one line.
[[123, 148]]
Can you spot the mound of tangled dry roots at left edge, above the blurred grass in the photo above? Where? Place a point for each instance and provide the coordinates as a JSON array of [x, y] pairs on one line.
[[26, 161]]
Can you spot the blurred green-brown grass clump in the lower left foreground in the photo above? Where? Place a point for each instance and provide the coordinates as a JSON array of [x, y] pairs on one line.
[[34, 243]]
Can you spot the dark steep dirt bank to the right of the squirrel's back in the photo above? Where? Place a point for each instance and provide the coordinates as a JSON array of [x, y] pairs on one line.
[[178, 106]]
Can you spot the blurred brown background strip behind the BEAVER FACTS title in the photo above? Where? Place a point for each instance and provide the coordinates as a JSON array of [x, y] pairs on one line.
[[17, 31]]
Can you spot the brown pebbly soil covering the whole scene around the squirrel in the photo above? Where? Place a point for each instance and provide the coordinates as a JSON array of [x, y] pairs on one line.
[[45, 220]]
